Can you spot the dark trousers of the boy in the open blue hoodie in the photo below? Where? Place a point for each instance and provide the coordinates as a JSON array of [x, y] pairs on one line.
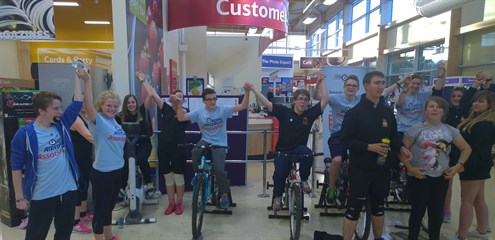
[[58, 208]]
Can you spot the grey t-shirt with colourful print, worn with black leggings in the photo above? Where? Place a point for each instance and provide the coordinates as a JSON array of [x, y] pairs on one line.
[[431, 147]]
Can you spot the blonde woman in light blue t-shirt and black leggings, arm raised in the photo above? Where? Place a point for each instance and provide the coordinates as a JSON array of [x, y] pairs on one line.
[[109, 139]]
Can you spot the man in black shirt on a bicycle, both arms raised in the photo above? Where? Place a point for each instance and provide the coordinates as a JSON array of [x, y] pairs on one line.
[[295, 125]]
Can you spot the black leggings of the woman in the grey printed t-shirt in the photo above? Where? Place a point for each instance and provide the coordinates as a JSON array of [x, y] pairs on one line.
[[428, 193]]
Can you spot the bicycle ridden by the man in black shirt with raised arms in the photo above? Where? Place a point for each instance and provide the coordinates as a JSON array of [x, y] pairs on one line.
[[293, 194]]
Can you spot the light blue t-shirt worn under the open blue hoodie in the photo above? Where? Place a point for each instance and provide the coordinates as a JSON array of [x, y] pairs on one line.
[[53, 176]]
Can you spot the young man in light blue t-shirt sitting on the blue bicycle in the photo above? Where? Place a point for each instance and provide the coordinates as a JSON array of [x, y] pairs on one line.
[[212, 122]]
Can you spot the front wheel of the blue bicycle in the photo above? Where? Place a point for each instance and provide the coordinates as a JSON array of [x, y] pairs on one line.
[[198, 205]]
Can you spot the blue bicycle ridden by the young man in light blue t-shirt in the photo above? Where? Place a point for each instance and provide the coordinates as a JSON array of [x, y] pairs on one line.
[[205, 188]]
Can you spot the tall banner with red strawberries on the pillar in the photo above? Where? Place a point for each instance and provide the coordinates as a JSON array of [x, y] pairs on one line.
[[145, 40]]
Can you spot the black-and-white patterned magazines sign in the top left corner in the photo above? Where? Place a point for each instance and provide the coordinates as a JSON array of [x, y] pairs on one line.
[[26, 20]]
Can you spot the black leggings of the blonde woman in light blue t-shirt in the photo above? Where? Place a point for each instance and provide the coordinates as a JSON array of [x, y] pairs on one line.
[[106, 186]]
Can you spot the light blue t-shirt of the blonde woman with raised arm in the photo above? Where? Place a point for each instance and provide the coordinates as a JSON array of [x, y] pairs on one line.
[[109, 140]]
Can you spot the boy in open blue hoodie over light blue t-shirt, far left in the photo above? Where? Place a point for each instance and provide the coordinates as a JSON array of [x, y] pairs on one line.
[[44, 149]]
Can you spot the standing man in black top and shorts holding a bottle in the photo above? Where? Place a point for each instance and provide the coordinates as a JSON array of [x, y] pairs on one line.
[[363, 129]]
